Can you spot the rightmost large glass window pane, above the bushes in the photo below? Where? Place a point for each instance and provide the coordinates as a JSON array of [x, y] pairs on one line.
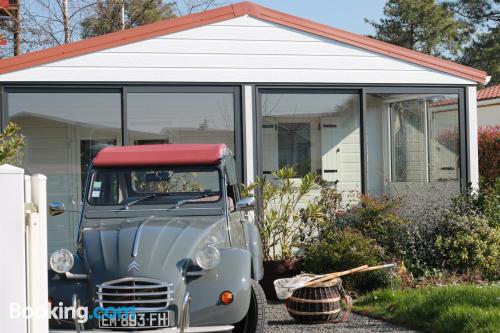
[[412, 140]]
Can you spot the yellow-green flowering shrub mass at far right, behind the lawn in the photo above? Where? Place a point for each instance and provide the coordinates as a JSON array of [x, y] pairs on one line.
[[461, 237]]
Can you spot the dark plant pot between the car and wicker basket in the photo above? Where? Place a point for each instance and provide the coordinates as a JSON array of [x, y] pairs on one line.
[[277, 269]]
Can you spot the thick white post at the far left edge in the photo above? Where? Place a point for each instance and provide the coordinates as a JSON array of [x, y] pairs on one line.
[[12, 246]]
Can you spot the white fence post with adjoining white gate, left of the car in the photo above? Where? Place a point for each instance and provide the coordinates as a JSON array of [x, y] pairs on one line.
[[23, 255]]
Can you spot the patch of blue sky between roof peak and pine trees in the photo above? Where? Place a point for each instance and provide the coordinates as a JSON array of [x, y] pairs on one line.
[[344, 14]]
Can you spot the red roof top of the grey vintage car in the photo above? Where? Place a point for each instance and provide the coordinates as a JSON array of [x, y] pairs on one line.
[[165, 154]]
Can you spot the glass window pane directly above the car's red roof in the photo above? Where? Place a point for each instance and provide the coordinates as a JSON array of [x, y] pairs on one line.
[[178, 117]]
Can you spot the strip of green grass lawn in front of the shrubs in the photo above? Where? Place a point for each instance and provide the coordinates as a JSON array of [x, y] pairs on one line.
[[456, 309]]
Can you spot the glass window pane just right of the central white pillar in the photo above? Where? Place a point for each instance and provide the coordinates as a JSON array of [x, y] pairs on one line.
[[312, 130]]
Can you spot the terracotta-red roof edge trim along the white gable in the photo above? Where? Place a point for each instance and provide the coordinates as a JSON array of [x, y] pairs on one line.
[[225, 13]]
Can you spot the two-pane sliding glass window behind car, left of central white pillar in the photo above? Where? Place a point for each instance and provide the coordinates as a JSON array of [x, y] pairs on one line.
[[65, 130]]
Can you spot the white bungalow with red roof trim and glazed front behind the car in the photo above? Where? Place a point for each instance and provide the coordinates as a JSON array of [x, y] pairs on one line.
[[278, 89]]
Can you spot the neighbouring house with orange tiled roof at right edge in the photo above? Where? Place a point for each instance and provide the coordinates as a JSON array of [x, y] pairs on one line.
[[488, 106]]
